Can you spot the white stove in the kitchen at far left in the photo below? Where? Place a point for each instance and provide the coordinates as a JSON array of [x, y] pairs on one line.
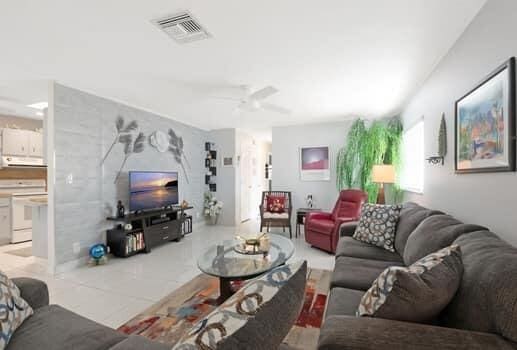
[[16, 193]]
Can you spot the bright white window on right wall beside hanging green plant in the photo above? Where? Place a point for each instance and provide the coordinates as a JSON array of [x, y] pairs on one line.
[[412, 177]]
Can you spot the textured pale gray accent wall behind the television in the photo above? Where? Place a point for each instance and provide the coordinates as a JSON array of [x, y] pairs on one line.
[[85, 192]]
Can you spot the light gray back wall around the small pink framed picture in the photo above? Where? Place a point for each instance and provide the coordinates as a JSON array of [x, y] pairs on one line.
[[286, 163]]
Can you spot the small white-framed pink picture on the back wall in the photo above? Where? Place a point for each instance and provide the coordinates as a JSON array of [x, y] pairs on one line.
[[315, 163]]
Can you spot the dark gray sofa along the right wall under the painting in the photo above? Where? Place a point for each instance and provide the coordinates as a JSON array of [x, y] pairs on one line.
[[482, 315]]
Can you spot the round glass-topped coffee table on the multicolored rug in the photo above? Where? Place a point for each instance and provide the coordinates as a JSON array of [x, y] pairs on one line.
[[222, 261]]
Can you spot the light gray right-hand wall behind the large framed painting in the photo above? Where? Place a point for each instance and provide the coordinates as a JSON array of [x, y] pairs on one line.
[[487, 199]]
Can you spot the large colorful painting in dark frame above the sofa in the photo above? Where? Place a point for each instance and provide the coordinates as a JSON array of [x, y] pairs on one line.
[[485, 124]]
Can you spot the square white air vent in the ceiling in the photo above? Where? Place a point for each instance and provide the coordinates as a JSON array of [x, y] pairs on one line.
[[182, 27]]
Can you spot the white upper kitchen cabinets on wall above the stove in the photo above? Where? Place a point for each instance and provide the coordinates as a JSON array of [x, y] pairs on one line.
[[22, 143]]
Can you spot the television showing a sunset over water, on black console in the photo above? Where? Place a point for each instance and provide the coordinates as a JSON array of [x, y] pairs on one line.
[[152, 190]]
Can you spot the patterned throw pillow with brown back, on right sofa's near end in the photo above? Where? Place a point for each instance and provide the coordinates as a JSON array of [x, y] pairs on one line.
[[417, 293]]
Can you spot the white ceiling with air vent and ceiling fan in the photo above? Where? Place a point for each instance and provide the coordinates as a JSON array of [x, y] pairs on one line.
[[330, 60]]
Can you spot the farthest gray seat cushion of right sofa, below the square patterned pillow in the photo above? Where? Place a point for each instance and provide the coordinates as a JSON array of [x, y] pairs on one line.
[[348, 246]]
